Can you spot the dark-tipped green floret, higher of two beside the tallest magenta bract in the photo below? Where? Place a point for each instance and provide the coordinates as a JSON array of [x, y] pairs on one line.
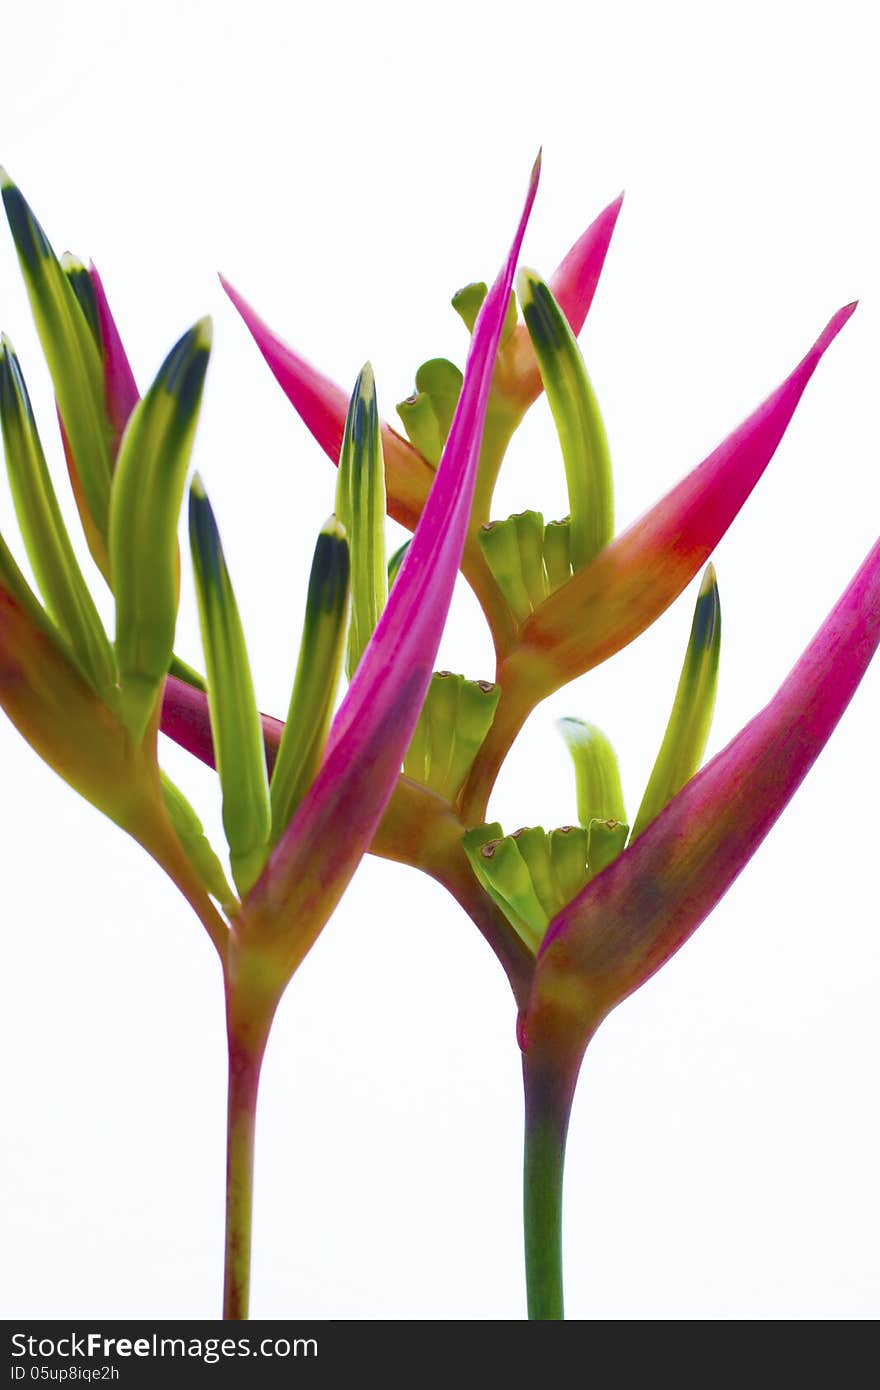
[[361, 507]]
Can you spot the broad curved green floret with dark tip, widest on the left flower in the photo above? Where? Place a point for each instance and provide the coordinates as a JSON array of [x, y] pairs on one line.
[[148, 490]]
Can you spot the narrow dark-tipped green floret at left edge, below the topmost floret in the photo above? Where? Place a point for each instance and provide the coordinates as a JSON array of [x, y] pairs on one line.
[[45, 536]]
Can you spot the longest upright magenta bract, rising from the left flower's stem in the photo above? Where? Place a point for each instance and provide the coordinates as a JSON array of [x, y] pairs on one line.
[[318, 854]]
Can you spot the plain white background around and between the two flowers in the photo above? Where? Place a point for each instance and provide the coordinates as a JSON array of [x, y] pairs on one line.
[[348, 170]]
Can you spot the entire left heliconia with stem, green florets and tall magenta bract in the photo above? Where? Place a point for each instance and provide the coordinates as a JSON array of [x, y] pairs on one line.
[[91, 705]]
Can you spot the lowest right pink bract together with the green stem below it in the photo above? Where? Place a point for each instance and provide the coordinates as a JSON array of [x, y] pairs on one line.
[[630, 919]]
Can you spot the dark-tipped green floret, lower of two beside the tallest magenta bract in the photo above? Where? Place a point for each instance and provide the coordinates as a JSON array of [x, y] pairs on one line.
[[318, 676]]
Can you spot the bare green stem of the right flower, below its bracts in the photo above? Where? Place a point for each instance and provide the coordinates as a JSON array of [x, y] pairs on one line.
[[548, 1106]]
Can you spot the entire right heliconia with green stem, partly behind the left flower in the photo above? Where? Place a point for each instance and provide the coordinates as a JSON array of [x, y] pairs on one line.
[[582, 917]]
